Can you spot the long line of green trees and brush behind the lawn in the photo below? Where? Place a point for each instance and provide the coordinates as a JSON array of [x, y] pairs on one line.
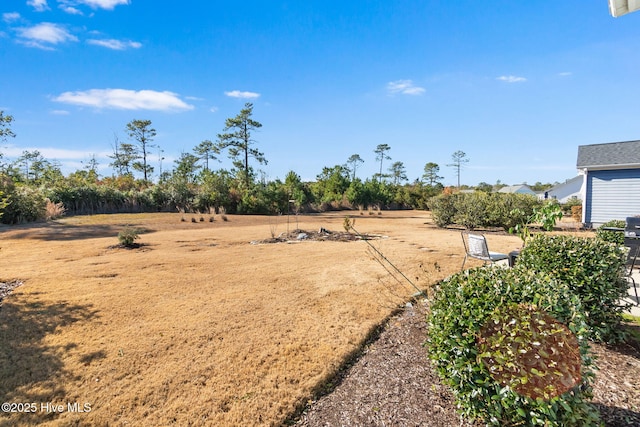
[[30, 183]]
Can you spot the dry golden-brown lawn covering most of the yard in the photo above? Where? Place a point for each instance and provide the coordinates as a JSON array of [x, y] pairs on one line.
[[197, 326]]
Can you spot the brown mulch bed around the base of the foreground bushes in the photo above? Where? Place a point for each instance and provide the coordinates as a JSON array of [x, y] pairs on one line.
[[394, 383]]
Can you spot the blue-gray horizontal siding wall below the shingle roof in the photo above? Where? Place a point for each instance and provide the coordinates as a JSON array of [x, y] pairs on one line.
[[612, 194]]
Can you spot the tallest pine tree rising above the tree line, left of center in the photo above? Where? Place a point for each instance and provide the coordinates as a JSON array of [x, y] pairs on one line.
[[239, 142]]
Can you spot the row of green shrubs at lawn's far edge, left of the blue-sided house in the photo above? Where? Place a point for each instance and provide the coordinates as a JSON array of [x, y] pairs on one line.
[[480, 209]]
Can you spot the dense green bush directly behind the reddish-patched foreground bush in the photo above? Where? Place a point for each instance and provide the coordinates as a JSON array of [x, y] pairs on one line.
[[593, 269]]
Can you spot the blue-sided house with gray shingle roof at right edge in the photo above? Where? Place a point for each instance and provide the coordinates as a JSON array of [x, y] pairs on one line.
[[610, 181]]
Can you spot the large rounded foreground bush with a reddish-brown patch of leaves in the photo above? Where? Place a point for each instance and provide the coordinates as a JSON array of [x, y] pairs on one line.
[[468, 303]]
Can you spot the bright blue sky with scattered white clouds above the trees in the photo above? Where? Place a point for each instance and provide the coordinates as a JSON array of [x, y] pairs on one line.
[[515, 85]]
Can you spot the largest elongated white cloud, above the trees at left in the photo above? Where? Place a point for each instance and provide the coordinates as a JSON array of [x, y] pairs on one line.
[[123, 99]]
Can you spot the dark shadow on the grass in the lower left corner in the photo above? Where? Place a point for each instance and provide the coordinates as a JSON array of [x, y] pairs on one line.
[[32, 370]]
